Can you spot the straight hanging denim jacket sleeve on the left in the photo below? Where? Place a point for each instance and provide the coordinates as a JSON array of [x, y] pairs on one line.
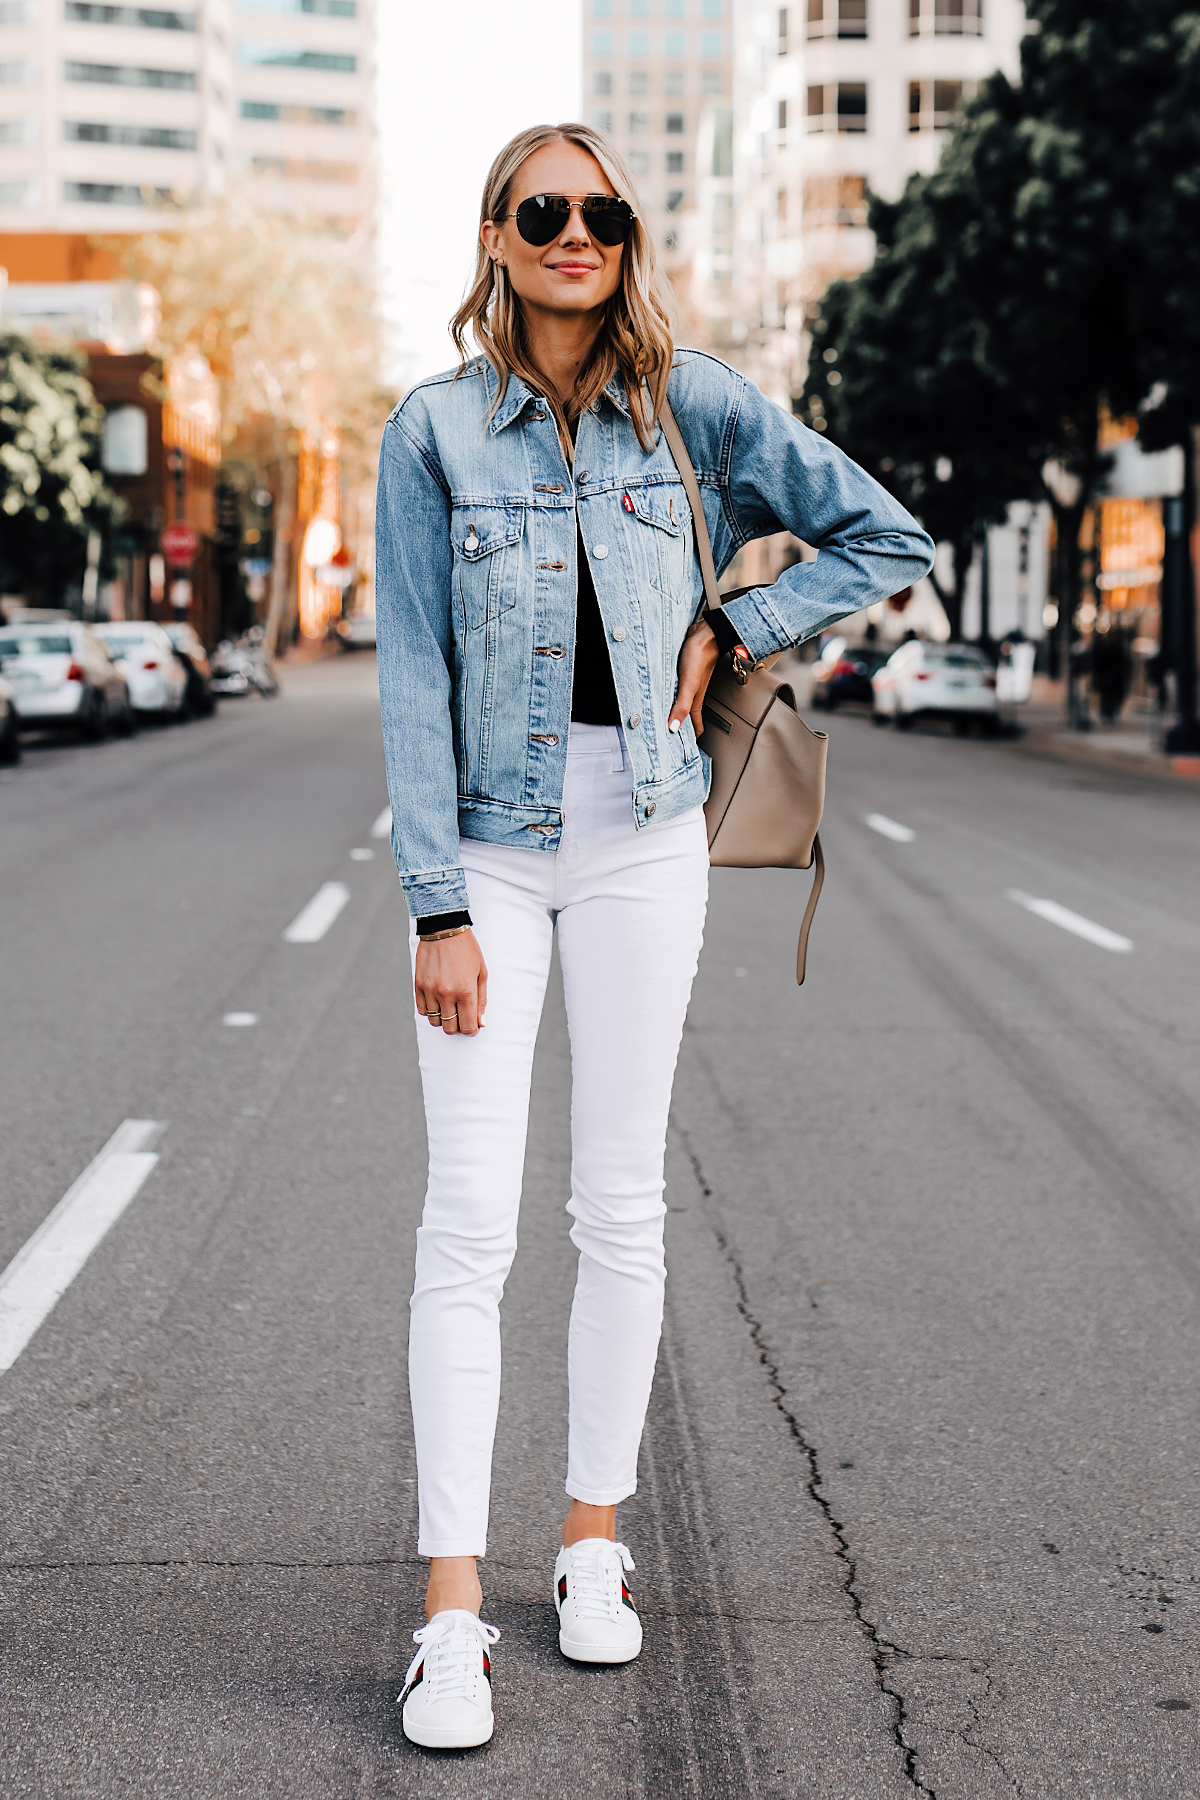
[[415, 571]]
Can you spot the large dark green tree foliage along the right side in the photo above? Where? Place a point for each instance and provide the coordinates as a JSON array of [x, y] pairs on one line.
[[1046, 269]]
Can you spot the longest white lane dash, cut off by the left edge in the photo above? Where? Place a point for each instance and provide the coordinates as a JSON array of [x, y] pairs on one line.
[[49, 1263]]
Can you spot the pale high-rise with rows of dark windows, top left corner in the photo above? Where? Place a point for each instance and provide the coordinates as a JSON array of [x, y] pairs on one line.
[[107, 111]]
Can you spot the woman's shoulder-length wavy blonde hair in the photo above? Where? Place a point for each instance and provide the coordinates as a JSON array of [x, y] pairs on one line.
[[636, 337]]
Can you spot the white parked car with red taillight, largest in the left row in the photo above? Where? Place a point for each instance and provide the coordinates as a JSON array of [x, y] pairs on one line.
[[62, 676]]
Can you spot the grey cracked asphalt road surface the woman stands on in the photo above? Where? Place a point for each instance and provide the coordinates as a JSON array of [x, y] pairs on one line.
[[922, 1482]]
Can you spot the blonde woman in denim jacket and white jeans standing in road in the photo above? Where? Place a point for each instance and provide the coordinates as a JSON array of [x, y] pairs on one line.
[[542, 669]]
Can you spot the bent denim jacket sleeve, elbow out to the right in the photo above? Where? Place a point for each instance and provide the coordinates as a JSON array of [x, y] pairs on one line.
[[782, 476]]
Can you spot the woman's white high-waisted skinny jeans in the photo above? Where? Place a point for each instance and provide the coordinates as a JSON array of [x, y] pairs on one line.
[[631, 917]]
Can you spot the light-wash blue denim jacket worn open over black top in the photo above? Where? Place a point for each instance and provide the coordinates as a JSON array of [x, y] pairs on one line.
[[476, 591]]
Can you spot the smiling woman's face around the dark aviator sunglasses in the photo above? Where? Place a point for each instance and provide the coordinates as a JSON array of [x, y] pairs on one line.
[[573, 274]]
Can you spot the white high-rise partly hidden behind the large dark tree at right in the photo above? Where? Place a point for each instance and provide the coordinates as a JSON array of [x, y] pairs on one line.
[[837, 98]]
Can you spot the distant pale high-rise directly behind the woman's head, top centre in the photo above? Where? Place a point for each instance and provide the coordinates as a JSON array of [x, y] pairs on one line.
[[654, 73]]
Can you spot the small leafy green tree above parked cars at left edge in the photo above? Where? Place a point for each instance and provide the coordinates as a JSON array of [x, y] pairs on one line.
[[51, 487]]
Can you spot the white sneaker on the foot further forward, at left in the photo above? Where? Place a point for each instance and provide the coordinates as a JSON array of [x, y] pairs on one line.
[[447, 1691]]
